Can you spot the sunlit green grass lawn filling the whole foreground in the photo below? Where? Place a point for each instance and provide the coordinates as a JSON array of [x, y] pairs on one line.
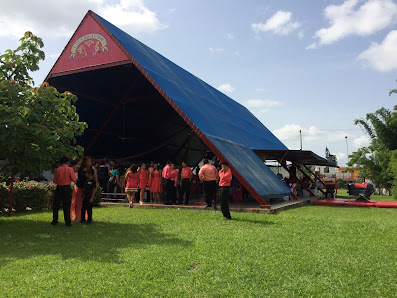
[[307, 251]]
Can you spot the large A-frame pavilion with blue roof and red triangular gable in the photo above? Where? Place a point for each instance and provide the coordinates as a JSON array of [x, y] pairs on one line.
[[141, 106]]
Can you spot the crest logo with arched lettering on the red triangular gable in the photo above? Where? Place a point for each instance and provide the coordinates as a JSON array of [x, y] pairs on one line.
[[91, 44]]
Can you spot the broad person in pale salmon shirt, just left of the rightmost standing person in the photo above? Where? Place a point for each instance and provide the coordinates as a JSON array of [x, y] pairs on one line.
[[209, 175]]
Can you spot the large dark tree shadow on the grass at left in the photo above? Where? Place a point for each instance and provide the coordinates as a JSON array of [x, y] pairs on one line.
[[24, 238]]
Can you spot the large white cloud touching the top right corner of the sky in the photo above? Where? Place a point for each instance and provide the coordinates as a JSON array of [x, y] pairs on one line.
[[351, 18]]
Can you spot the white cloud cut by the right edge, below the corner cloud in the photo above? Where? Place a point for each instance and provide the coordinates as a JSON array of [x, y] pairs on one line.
[[383, 56]]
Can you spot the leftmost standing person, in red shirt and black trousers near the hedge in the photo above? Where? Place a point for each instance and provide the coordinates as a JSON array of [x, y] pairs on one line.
[[63, 178]]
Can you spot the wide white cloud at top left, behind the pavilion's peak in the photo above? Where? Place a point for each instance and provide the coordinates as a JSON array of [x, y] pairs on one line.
[[59, 19]]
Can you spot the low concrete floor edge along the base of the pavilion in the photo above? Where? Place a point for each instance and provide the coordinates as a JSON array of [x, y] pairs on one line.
[[251, 206]]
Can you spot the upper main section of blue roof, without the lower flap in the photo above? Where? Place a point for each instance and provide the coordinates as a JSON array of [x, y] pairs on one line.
[[214, 113]]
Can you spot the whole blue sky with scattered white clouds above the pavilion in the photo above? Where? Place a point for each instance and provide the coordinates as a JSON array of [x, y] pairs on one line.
[[303, 65]]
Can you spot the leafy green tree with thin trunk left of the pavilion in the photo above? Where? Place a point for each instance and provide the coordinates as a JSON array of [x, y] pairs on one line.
[[38, 125]]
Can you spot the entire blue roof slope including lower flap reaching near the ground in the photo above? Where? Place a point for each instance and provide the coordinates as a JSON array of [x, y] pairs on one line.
[[230, 126]]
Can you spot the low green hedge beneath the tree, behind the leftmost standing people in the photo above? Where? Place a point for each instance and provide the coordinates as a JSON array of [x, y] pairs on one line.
[[33, 195]]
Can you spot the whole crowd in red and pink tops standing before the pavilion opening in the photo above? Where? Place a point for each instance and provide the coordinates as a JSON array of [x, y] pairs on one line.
[[167, 184]]
